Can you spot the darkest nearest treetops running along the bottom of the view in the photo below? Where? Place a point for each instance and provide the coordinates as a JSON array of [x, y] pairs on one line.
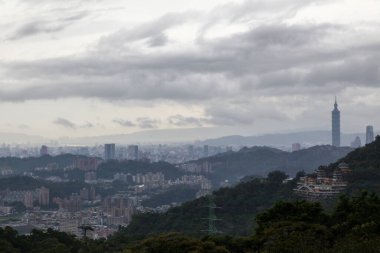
[[288, 227]]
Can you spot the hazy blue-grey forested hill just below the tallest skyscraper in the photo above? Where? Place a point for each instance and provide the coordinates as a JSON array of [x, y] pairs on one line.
[[261, 160]]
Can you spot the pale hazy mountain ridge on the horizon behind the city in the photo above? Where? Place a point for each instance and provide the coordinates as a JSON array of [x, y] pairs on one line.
[[212, 136]]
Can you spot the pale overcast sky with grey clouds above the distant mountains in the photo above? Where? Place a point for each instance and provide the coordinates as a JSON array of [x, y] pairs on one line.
[[98, 67]]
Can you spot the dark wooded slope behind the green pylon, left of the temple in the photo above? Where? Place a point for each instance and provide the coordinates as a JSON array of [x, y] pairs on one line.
[[236, 210]]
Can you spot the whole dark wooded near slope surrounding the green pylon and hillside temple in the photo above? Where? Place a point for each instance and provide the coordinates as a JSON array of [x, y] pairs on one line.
[[259, 209]]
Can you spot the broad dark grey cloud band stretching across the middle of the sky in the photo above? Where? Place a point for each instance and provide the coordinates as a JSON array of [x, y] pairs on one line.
[[292, 57]]
